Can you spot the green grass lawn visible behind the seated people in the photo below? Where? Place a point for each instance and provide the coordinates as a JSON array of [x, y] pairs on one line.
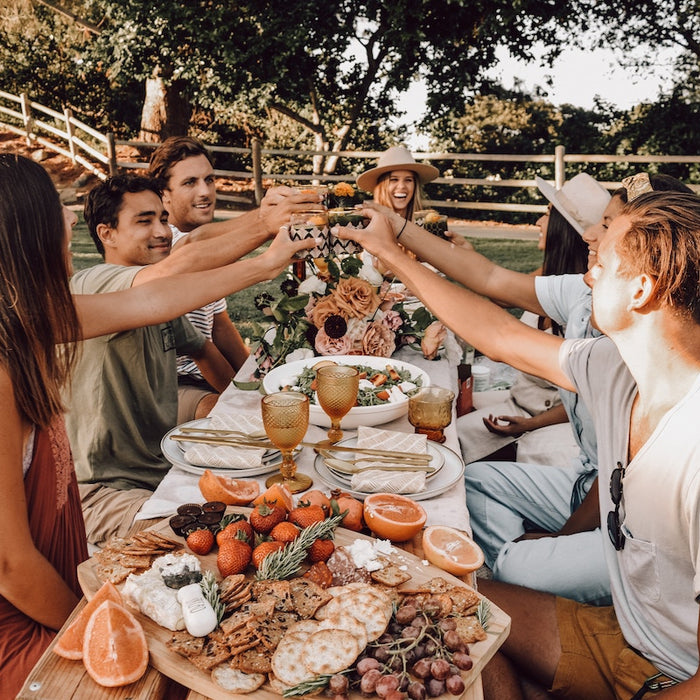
[[522, 256]]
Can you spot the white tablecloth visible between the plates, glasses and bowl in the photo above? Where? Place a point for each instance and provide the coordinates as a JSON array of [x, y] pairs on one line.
[[448, 508]]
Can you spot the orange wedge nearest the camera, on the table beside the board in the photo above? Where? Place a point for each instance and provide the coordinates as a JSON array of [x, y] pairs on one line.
[[115, 652]]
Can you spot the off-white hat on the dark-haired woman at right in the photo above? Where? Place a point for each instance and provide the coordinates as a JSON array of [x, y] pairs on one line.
[[581, 201]]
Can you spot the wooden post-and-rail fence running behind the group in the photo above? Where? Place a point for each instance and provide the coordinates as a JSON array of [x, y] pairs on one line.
[[97, 153]]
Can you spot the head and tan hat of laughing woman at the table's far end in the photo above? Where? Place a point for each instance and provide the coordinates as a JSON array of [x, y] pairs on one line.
[[396, 180]]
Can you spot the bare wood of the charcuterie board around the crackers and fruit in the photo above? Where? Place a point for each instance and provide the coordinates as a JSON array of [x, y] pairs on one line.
[[184, 672]]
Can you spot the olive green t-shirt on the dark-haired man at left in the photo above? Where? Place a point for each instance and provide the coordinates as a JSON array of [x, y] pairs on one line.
[[123, 397]]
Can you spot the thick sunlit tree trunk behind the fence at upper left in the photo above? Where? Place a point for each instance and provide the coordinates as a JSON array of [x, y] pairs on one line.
[[166, 111]]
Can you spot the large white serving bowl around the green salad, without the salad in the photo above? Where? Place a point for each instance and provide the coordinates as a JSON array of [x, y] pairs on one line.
[[285, 375]]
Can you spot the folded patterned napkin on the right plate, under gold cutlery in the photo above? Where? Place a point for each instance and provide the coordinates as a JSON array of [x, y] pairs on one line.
[[383, 481]]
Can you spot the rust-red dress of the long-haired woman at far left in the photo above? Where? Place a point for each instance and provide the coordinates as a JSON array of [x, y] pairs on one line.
[[58, 531]]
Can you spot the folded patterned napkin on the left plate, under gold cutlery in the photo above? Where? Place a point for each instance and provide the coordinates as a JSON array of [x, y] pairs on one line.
[[225, 457]]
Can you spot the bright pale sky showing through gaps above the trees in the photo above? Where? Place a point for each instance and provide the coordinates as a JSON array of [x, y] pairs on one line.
[[578, 77]]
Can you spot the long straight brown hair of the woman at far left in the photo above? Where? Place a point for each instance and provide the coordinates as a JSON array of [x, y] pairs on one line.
[[37, 313]]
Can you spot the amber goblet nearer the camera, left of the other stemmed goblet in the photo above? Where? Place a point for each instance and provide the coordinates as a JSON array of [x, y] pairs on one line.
[[285, 417]]
